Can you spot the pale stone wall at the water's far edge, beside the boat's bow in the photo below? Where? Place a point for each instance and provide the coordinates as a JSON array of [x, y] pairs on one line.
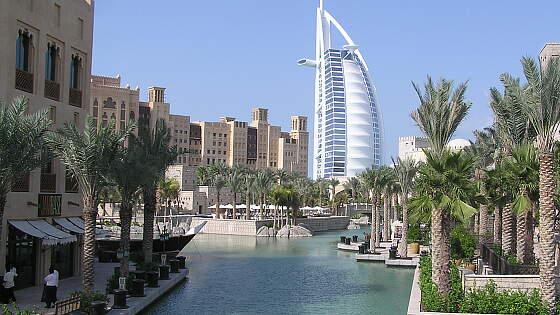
[[230, 227]]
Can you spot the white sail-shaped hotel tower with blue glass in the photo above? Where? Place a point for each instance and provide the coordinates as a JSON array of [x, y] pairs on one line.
[[347, 124]]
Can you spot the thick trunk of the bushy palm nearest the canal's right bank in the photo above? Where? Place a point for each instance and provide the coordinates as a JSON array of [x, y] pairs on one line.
[[440, 252]]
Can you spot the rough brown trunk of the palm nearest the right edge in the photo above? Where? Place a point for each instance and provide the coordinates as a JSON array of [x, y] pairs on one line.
[[547, 186]]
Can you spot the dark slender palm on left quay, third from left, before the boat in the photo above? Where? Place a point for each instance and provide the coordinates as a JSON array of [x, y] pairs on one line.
[[126, 172]]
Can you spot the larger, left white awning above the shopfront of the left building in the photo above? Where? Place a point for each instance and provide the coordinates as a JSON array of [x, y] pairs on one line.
[[43, 230]]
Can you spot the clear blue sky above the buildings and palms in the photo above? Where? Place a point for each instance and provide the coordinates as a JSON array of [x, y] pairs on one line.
[[224, 57]]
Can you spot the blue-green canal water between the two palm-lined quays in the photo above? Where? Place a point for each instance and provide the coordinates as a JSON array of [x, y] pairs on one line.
[[249, 275]]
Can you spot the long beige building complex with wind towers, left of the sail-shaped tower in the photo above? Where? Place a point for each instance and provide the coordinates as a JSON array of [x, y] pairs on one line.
[[257, 144]]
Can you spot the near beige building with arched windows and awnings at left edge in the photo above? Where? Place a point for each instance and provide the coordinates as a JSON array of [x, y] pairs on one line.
[[46, 57]]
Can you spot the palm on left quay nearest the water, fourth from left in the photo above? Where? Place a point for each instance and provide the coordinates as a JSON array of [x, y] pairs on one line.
[[157, 156]]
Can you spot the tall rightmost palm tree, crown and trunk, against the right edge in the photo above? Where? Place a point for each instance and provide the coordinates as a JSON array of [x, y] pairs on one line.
[[542, 107]]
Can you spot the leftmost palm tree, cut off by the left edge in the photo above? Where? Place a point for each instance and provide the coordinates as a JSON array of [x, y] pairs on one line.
[[21, 144]]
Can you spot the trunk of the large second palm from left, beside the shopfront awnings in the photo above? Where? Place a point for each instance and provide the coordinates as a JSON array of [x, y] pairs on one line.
[[90, 214]]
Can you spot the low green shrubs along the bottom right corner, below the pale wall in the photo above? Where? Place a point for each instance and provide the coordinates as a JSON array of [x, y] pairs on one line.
[[487, 300]]
